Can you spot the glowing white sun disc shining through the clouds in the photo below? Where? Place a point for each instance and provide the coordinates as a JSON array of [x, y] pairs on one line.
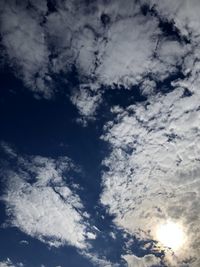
[[170, 235]]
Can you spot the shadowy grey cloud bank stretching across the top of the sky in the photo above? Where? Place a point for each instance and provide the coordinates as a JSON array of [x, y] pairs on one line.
[[108, 43]]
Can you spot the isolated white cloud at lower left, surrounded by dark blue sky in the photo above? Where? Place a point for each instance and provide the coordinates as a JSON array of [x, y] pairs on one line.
[[41, 203]]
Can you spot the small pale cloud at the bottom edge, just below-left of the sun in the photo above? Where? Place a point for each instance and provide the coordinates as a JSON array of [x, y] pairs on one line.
[[146, 261]]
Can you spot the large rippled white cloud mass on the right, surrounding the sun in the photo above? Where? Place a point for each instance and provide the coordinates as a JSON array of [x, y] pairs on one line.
[[153, 167]]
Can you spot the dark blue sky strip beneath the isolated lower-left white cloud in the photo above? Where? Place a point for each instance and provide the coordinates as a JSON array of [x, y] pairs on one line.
[[36, 253]]
